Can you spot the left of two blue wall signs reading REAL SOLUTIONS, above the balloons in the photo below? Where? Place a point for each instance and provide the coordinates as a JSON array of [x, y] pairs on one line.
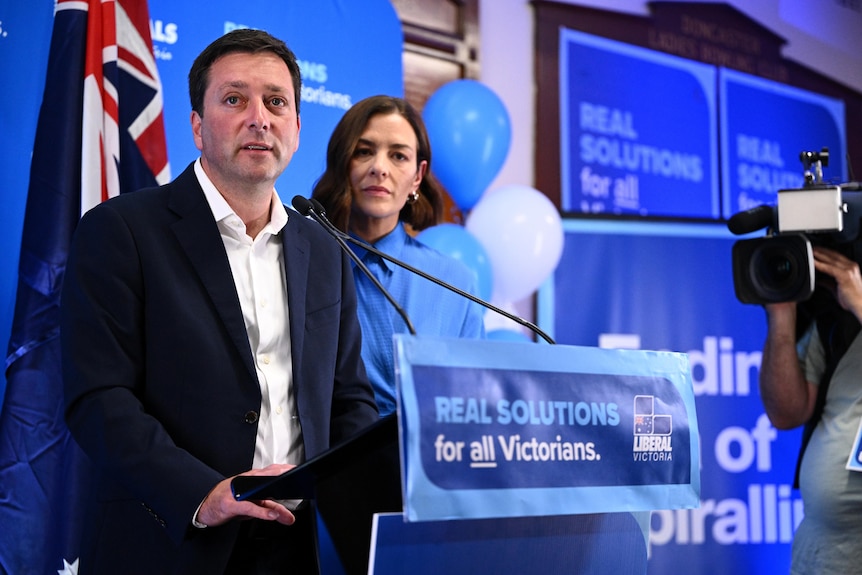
[[638, 131]]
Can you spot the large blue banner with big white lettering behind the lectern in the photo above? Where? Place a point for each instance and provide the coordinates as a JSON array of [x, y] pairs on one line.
[[670, 287]]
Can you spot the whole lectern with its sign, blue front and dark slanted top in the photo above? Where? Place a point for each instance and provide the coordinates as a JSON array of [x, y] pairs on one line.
[[507, 457]]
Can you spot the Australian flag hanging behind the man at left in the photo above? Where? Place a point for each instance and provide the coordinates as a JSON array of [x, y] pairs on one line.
[[100, 133]]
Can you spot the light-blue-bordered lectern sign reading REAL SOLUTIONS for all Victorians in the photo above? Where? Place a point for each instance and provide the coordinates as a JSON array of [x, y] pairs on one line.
[[494, 429]]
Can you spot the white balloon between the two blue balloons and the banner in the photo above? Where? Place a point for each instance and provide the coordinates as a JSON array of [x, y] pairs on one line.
[[522, 233]]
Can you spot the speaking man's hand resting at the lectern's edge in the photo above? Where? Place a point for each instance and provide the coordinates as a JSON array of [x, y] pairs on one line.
[[219, 506]]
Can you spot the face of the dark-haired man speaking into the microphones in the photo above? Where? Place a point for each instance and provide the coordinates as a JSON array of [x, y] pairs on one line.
[[249, 130]]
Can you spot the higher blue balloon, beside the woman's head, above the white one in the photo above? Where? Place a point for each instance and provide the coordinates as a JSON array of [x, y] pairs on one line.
[[470, 133]]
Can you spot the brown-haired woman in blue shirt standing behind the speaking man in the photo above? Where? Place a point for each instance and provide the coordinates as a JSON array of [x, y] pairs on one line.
[[377, 179]]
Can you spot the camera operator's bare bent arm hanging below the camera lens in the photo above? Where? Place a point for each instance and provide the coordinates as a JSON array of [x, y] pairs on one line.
[[787, 397]]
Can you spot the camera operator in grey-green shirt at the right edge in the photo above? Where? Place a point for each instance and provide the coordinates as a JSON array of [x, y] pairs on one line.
[[830, 354]]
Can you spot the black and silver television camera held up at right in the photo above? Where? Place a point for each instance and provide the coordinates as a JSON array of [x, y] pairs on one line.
[[780, 266]]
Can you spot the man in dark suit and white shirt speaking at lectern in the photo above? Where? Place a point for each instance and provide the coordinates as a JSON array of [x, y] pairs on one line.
[[207, 333]]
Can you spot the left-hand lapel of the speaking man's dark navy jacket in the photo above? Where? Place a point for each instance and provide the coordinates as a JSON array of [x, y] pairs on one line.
[[199, 237]]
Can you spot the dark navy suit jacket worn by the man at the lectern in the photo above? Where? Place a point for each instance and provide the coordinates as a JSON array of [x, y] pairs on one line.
[[160, 384]]
